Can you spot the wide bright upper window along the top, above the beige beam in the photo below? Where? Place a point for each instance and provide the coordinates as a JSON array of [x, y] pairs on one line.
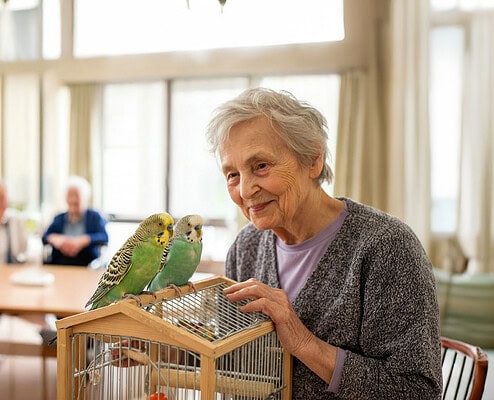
[[151, 26]]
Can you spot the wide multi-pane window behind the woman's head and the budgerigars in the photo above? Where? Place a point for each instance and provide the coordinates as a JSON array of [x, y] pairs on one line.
[[136, 150]]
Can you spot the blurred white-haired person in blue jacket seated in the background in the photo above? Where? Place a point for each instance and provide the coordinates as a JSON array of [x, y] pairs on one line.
[[76, 236]]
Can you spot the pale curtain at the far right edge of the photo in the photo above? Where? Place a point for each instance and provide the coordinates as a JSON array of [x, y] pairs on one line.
[[476, 215]]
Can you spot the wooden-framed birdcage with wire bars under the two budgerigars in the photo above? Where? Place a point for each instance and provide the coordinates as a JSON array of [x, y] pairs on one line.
[[195, 346]]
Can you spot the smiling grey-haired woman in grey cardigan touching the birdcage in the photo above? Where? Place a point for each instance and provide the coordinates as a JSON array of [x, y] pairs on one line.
[[348, 287]]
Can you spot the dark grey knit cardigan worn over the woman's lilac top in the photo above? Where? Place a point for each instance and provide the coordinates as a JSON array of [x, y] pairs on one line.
[[373, 295]]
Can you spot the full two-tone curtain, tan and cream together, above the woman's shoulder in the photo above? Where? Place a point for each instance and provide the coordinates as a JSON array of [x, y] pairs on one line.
[[382, 156]]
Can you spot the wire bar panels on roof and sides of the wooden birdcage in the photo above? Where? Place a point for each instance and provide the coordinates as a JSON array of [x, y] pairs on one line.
[[107, 366]]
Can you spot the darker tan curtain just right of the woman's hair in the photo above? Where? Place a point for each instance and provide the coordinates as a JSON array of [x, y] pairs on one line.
[[360, 163]]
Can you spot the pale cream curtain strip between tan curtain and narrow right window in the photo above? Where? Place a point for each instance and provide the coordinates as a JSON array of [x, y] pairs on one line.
[[407, 116]]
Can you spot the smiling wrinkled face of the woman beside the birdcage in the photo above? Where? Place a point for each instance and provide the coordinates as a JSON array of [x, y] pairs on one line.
[[264, 178]]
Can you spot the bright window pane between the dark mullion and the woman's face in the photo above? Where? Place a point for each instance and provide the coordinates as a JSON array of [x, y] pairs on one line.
[[195, 179]]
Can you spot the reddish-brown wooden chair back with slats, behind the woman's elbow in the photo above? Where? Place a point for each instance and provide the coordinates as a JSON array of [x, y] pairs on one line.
[[464, 369]]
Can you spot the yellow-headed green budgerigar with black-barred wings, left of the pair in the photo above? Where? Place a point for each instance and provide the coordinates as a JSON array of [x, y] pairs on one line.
[[135, 264]]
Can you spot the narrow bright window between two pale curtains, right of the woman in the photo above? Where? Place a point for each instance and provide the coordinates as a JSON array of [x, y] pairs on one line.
[[447, 47]]
